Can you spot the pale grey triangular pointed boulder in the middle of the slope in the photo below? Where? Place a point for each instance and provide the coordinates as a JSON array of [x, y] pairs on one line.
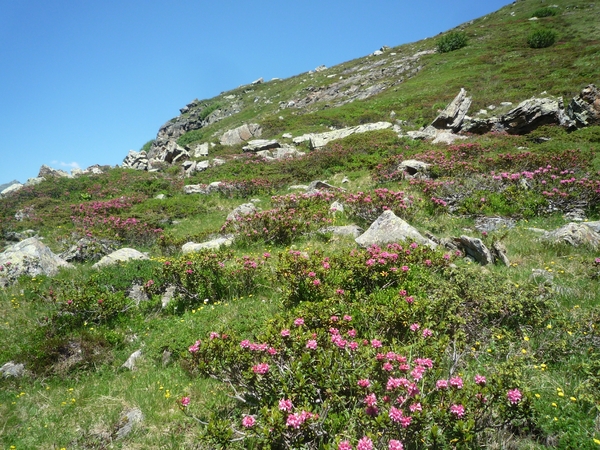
[[390, 228]]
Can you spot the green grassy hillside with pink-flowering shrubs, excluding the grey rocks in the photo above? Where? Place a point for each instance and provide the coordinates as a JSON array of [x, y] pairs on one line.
[[294, 337]]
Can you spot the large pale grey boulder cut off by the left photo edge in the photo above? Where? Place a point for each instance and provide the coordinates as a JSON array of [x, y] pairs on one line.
[[28, 257]]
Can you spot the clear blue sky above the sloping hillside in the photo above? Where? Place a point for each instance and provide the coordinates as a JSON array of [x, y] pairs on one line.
[[84, 81]]
